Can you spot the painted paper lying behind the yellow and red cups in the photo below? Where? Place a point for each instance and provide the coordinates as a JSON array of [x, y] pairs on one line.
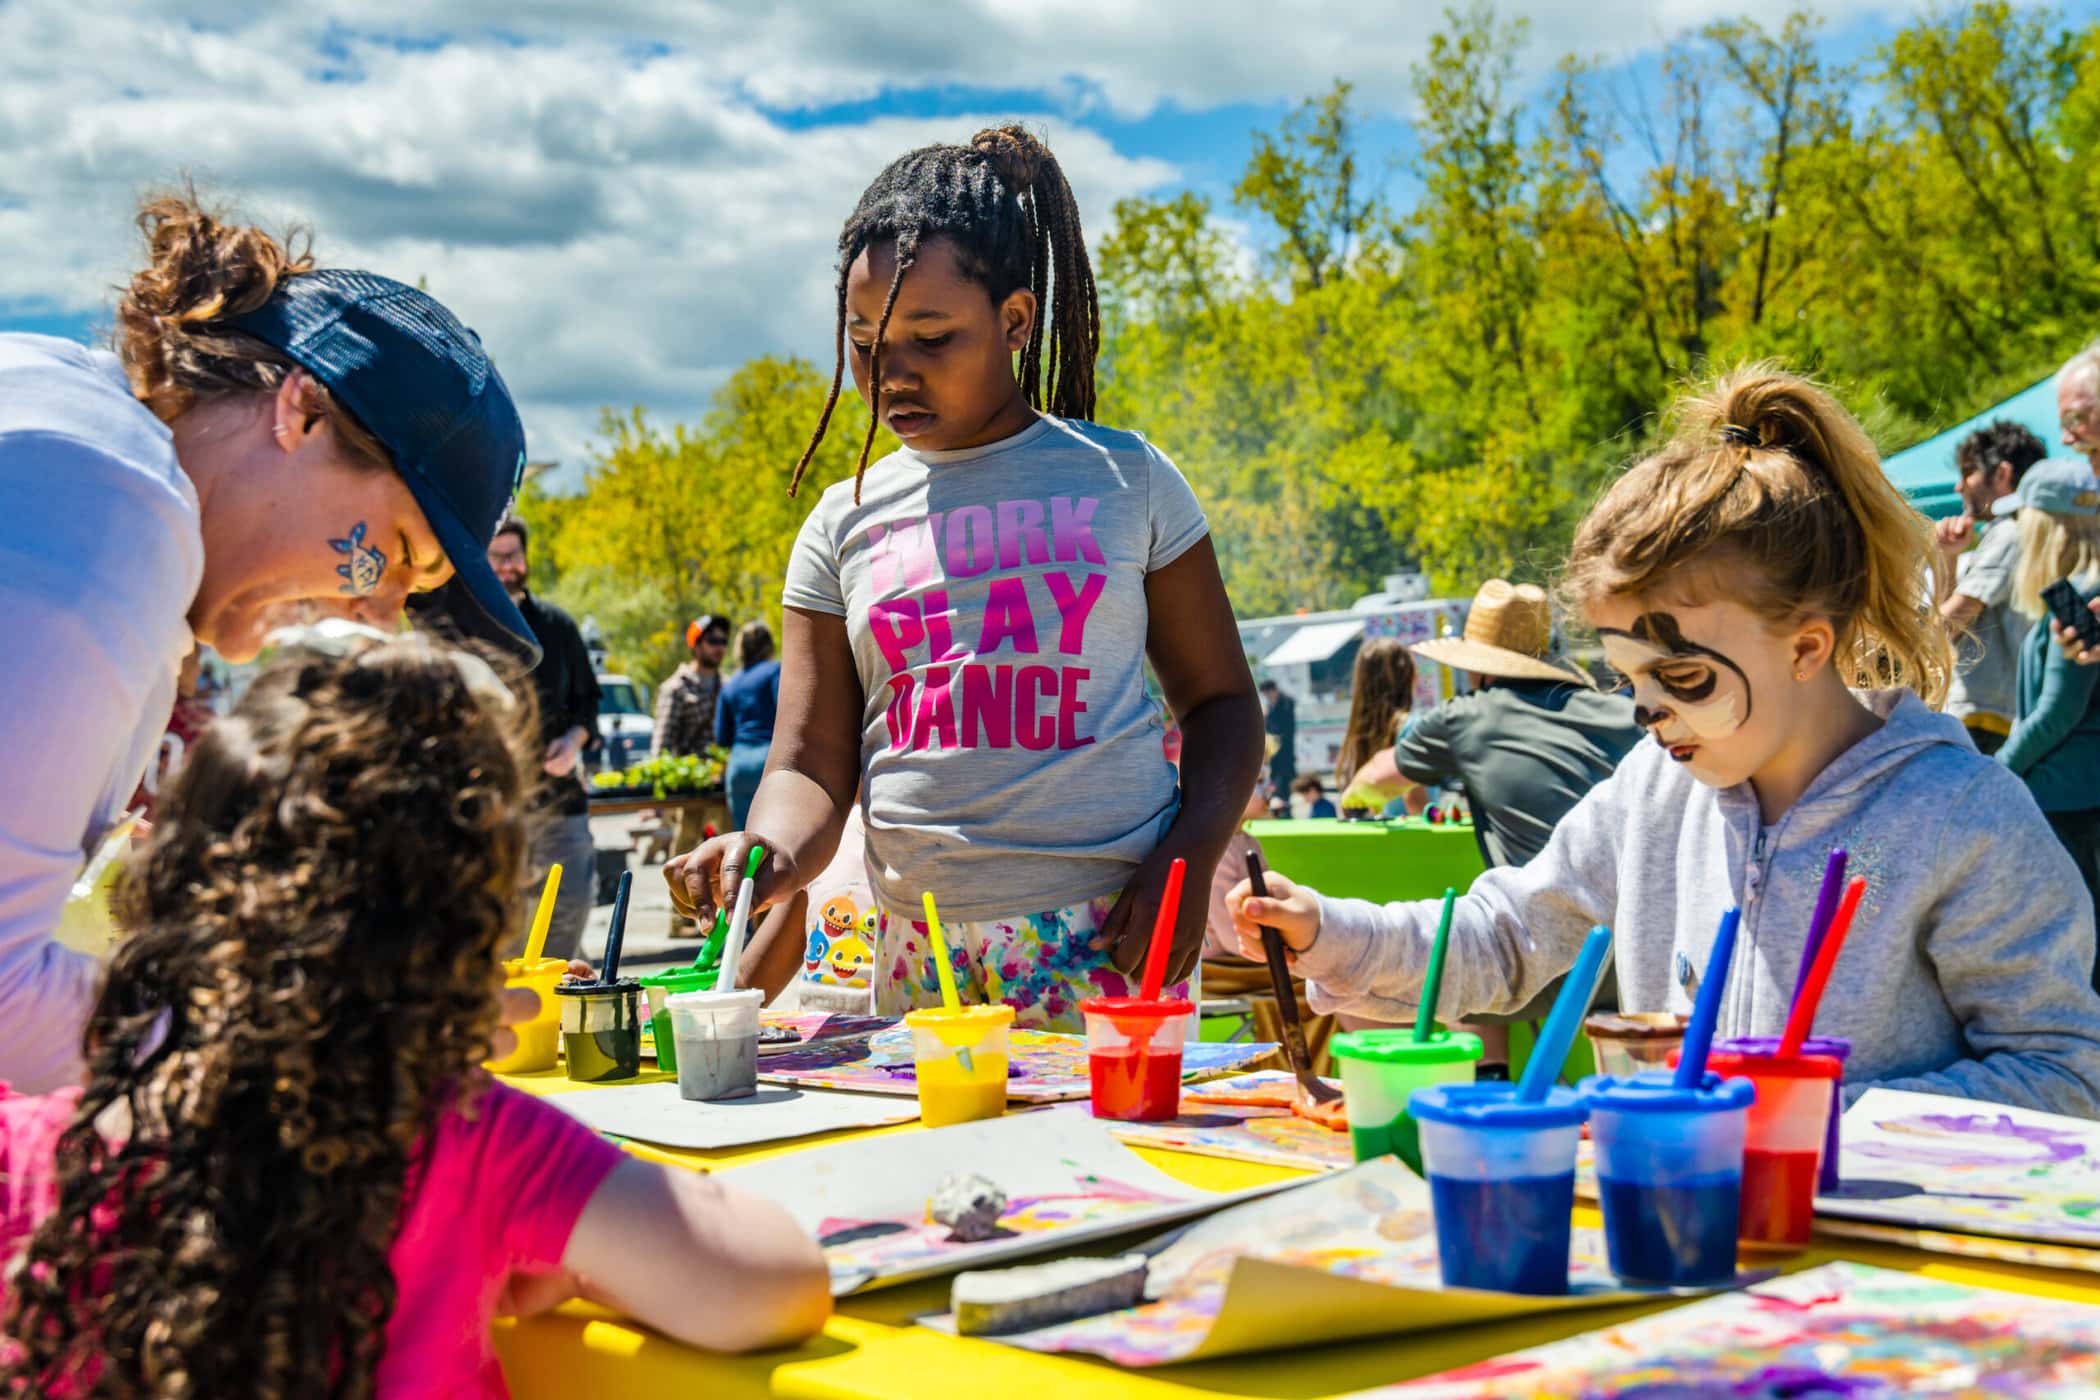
[[1043, 1065]]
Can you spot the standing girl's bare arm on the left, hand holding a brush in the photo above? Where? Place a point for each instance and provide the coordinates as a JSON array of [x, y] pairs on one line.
[[812, 778]]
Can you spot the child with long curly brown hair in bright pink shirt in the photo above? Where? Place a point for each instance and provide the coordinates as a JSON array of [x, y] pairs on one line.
[[287, 1172]]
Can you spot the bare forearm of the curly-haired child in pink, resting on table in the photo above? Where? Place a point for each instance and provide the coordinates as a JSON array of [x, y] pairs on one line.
[[698, 1260]]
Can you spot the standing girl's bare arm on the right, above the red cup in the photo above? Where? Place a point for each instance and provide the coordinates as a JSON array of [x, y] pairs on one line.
[[1194, 645]]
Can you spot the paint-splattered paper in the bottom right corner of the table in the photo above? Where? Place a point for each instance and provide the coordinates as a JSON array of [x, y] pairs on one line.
[[1843, 1332]]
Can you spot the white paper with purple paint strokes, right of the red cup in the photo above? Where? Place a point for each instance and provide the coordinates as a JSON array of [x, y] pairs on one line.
[[1969, 1168]]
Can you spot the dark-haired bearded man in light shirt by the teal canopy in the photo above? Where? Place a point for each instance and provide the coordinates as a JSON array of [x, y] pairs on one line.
[[1977, 606]]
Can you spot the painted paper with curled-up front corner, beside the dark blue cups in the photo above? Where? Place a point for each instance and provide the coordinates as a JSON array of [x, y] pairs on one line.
[[1345, 1256]]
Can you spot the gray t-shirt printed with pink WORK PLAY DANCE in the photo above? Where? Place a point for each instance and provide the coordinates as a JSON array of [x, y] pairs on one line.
[[1011, 759]]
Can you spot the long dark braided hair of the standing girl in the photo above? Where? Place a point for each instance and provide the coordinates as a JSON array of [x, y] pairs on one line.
[[1005, 205]]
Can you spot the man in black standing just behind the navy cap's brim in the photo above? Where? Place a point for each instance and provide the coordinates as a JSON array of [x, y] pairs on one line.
[[568, 727]]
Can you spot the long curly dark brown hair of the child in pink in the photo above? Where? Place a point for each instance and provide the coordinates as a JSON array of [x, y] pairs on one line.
[[308, 981]]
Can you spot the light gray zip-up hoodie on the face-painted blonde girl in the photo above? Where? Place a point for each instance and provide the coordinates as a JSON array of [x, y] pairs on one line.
[[1967, 971]]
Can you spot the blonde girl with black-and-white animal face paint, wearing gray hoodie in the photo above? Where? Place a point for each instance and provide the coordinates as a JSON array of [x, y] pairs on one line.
[[1765, 591]]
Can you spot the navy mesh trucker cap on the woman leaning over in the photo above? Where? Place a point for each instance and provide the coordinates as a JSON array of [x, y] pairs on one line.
[[423, 387]]
